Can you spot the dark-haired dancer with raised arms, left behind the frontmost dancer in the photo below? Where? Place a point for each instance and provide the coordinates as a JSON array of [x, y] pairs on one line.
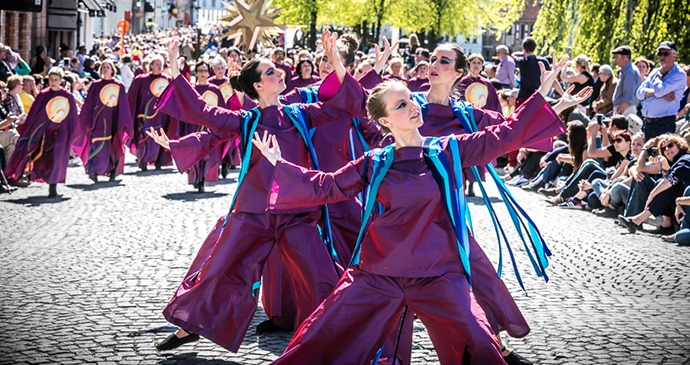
[[218, 301]]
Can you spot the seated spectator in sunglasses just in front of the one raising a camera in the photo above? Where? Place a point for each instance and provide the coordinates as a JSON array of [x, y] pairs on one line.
[[592, 188]]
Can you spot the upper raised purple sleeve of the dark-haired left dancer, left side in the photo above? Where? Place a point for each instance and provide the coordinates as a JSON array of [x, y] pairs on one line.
[[181, 101]]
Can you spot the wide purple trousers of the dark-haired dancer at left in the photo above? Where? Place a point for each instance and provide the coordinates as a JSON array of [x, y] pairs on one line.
[[218, 297]]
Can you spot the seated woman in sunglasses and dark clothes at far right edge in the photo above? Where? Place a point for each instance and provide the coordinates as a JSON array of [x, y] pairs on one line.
[[675, 162]]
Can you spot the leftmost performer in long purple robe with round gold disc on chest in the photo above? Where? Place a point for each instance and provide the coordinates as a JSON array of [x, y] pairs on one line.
[[47, 135]]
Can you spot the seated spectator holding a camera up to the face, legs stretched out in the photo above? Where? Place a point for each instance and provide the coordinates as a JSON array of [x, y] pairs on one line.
[[612, 158]]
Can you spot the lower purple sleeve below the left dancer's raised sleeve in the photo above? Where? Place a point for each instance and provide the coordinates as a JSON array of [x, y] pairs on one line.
[[190, 149]]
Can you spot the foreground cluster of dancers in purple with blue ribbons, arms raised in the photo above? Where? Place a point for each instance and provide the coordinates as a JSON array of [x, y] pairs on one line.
[[413, 249]]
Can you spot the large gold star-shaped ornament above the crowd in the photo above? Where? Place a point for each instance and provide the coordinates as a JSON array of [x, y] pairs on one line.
[[251, 22]]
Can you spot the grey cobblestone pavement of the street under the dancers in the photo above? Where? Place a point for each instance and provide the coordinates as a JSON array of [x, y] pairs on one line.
[[87, 276]]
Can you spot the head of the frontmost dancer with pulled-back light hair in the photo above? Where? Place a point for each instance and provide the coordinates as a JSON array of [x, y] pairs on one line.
[[404, 113]]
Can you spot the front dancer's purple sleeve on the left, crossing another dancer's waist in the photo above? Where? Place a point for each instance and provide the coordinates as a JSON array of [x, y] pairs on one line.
[[296, 187]]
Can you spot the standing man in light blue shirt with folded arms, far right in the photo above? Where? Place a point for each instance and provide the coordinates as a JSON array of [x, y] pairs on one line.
[[661, 93]]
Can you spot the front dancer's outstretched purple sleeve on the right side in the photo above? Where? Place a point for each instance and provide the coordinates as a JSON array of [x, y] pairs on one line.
[[512, 133]]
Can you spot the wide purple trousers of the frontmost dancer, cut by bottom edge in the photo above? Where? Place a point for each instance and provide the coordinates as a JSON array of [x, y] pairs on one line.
[[352, 323]]
